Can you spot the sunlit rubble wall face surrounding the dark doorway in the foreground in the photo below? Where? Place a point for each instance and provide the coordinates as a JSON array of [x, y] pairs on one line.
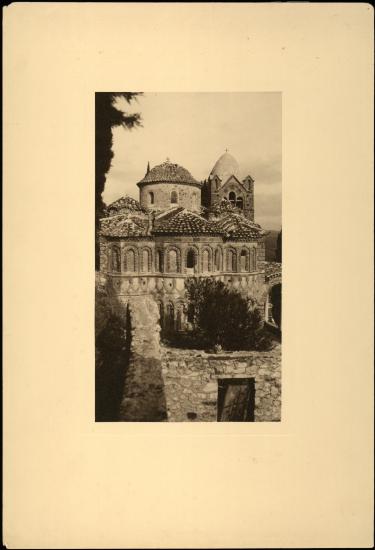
[[191, 381]]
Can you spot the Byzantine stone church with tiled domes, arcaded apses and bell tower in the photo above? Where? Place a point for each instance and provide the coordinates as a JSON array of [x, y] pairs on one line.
[[181, 228]]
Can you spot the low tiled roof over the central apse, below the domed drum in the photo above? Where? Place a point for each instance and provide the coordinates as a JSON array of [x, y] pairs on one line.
[[184, 222]]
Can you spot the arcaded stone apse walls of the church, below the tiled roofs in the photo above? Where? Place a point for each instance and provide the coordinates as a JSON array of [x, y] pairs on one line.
[[137, 272]]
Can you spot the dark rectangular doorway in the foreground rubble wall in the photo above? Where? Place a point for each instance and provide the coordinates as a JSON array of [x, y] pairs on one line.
[[236, 400]]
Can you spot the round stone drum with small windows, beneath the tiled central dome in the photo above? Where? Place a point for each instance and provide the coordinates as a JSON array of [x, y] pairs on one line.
[[188, 196]]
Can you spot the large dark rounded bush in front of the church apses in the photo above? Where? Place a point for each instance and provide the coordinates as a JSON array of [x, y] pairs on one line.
[[222, 317]]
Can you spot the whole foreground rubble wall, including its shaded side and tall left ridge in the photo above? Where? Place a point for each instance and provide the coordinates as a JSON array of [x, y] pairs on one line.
[[176, 385]]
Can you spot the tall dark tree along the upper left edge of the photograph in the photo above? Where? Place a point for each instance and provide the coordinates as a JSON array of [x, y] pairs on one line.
[[108, 116]]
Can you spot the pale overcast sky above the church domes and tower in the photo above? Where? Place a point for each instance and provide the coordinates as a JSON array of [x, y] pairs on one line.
[[193, 130]]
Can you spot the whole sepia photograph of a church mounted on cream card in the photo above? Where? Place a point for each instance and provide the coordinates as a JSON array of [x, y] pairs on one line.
[[188, 256]]
